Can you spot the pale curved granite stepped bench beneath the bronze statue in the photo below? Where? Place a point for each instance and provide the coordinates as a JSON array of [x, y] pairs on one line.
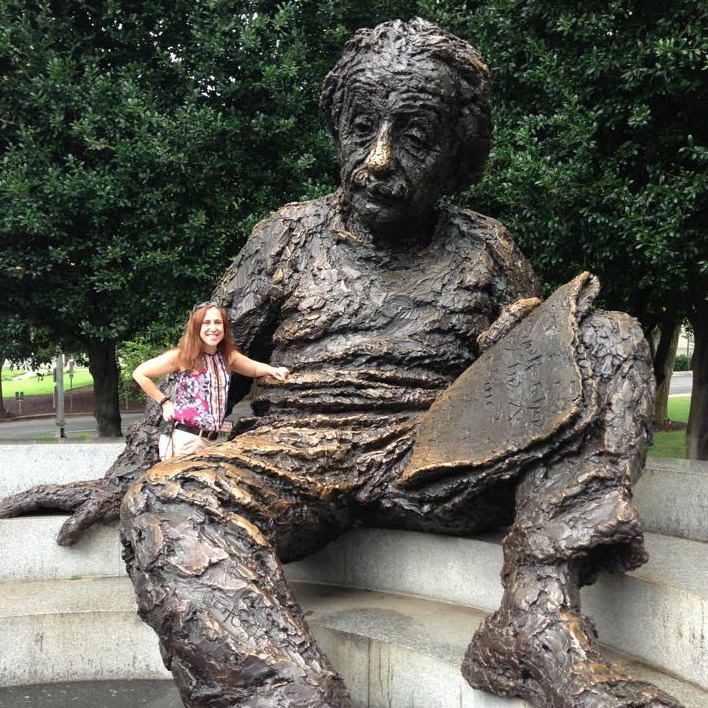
[[69, 613]]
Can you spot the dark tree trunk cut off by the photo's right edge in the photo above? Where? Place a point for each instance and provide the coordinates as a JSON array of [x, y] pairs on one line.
[[697, 431]]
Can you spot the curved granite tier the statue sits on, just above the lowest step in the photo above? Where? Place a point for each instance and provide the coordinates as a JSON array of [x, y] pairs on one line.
[[656, 613]]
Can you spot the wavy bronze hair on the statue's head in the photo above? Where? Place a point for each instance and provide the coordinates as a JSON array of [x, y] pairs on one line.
[[423, 40]]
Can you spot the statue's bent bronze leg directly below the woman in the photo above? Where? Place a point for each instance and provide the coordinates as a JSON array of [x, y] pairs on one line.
[[202, 539]]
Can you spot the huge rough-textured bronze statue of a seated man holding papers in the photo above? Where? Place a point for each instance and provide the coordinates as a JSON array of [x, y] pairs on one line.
[[429, 390]]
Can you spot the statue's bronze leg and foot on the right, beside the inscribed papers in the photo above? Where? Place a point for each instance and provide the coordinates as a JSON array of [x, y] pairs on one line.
[[574, 517]]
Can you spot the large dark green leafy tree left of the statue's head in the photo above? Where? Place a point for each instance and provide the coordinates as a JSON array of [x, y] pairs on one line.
[[141, 142]]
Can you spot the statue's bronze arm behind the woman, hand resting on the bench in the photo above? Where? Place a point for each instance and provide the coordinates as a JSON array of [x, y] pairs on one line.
[[251, 289]]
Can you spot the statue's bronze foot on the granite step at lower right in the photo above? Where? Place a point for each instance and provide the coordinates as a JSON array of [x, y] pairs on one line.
[[550, 660]]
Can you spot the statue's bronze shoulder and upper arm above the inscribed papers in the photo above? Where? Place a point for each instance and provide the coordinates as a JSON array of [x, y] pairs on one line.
[[478, 232]]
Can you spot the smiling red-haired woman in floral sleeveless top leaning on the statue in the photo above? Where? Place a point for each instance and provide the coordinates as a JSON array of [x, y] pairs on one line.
[[204, 360]]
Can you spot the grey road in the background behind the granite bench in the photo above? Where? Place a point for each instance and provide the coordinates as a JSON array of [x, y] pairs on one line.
[[83, 426]]
